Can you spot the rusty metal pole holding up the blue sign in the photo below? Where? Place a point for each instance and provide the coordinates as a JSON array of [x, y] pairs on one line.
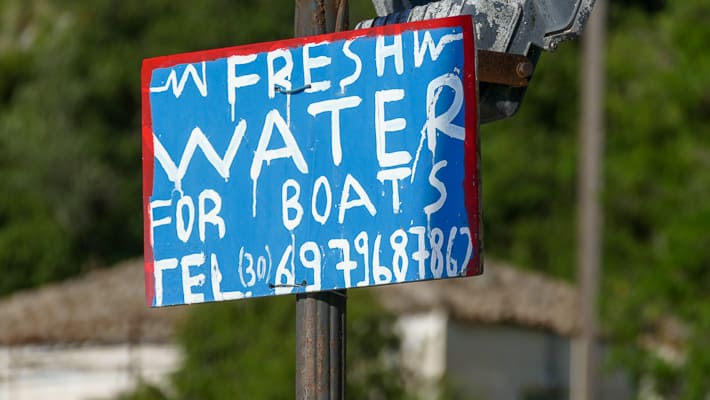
[[320, 317]]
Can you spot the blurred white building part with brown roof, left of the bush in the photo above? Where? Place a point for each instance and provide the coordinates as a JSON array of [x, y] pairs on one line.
[[87, 338]]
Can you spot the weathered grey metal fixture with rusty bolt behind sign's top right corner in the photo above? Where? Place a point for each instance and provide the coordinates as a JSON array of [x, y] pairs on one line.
[[514, 27]]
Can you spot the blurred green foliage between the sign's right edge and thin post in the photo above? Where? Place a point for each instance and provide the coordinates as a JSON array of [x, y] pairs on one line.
[[528, 172]]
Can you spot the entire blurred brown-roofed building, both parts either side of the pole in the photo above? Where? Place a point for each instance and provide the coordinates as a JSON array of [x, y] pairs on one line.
[[503, 335]]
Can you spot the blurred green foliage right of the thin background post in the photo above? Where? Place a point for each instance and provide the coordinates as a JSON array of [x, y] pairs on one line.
[[658, 196]]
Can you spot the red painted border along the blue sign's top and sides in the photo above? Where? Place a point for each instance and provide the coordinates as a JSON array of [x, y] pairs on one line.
[[471, 144]]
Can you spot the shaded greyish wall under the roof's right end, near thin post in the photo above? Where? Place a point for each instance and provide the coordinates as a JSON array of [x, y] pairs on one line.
[[499, 362]]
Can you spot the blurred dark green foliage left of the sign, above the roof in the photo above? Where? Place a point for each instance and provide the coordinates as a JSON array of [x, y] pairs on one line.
[[70, 120]]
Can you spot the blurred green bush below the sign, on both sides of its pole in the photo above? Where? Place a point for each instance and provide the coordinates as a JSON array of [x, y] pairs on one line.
[[246, 350]]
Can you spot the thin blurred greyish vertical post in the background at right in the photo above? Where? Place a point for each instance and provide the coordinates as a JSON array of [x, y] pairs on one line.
[[584, 362]]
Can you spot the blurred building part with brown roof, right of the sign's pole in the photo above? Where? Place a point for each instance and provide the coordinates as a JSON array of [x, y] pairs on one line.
[[504, 335]]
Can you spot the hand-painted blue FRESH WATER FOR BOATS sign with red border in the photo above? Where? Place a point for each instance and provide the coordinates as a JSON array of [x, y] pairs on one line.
[[327, 162]]
